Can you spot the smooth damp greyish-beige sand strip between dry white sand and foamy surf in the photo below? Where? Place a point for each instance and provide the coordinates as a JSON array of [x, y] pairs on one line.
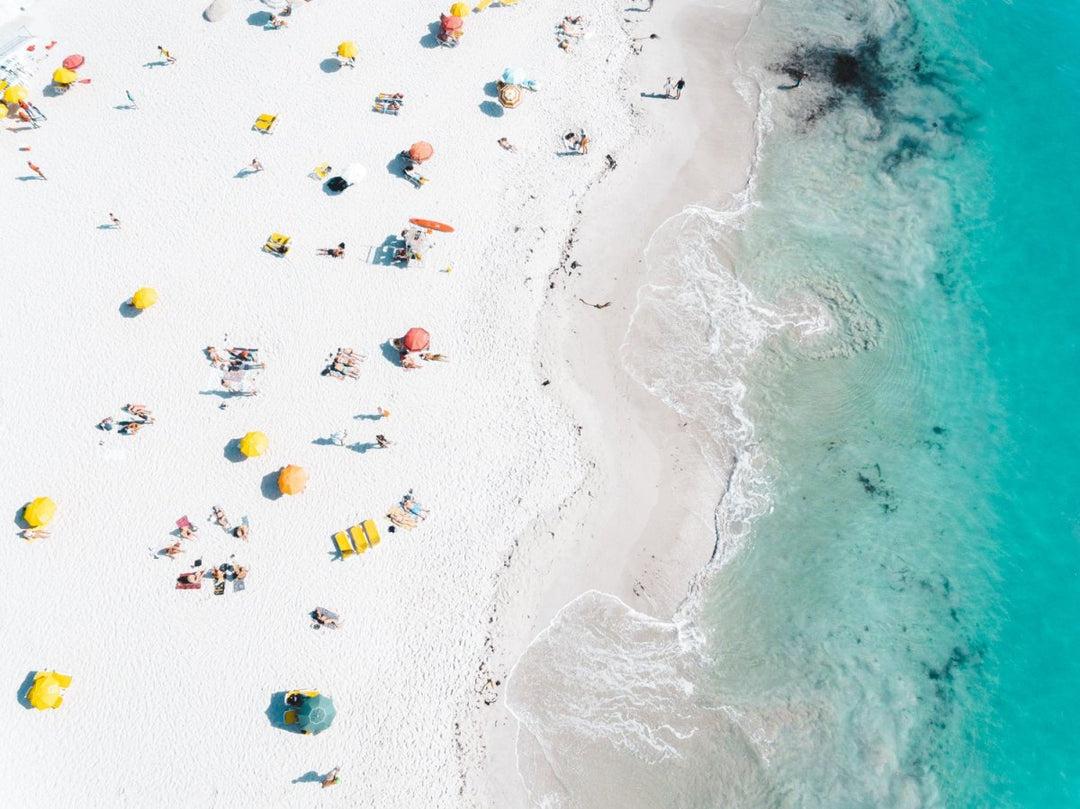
[[636, 529]]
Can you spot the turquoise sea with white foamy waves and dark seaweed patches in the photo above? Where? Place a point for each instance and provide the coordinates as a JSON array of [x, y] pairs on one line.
[[882, 334]]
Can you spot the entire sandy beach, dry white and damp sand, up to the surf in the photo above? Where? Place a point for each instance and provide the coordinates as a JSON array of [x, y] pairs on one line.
[[537, 492]]
